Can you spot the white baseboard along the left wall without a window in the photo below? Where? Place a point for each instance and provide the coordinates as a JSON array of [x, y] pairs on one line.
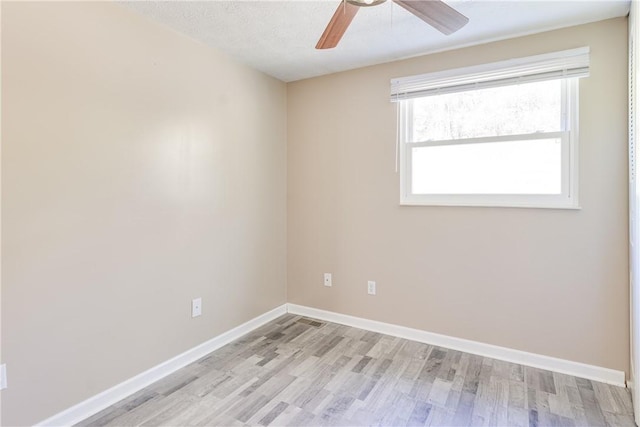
[[100, 401]]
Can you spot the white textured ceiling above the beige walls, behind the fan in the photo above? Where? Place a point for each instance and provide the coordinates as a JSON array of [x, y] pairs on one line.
[[278, 37]]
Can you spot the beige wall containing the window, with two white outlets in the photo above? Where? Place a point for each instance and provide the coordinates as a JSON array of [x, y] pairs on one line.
[[552, 282]]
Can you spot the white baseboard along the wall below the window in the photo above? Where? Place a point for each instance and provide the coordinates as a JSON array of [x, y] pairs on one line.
[[577, 369]]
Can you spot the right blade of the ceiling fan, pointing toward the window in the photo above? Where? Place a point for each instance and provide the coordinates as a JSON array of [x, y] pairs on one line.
[[436, 13]]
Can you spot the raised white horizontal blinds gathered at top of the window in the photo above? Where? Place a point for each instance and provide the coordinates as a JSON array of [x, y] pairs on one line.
[[550, 66]]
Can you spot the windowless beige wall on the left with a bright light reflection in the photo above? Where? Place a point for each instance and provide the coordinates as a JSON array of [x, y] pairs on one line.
[[140, 170]]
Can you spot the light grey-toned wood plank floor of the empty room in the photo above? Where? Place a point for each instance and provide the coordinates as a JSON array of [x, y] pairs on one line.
[[296, 371]]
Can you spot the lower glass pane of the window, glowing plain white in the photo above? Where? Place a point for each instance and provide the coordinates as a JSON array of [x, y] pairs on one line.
[[512, 167]]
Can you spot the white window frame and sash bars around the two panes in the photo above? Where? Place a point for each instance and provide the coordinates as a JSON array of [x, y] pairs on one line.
[[567, 199]]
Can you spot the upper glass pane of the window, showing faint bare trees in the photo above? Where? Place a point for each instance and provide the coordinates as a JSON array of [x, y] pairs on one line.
[[508, 110]]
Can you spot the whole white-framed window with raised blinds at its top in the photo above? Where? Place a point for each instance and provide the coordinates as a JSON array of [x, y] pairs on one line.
[[502, 134]]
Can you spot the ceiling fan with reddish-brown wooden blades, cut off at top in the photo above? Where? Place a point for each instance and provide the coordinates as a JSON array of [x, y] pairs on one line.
[[436, 13]]
